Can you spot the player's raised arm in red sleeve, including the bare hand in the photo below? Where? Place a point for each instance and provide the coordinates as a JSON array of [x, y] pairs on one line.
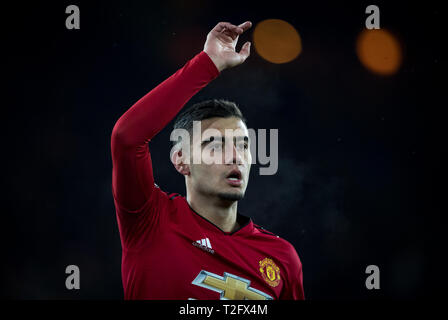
[[132, 175]]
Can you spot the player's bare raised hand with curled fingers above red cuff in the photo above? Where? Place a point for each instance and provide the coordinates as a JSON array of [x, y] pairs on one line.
[[221, 42]]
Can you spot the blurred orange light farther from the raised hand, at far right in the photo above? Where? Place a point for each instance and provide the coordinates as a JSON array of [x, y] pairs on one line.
[[379, 51]]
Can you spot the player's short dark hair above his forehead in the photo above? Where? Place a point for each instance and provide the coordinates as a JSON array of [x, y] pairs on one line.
[[205, 110]]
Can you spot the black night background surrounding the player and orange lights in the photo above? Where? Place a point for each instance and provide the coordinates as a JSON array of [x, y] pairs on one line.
[[358, 152]]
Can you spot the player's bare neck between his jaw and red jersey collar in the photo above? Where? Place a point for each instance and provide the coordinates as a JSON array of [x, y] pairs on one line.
[[220, 212]]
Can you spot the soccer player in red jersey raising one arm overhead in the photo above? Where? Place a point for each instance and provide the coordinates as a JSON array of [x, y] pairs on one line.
[[198, 246]]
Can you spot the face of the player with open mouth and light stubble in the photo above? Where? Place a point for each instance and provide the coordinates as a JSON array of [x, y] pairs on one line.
[[225, 159]]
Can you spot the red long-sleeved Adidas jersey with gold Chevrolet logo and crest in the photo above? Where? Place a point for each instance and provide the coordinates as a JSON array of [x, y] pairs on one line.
[[169, 251]]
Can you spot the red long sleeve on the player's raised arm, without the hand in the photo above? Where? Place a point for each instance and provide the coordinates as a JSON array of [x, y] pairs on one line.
[[133, 186]]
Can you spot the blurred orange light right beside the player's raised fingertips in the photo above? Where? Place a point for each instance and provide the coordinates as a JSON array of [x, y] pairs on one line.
[[277, 41]]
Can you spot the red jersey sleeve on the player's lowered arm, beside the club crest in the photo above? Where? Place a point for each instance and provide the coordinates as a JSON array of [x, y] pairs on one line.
[[293, 289]]
